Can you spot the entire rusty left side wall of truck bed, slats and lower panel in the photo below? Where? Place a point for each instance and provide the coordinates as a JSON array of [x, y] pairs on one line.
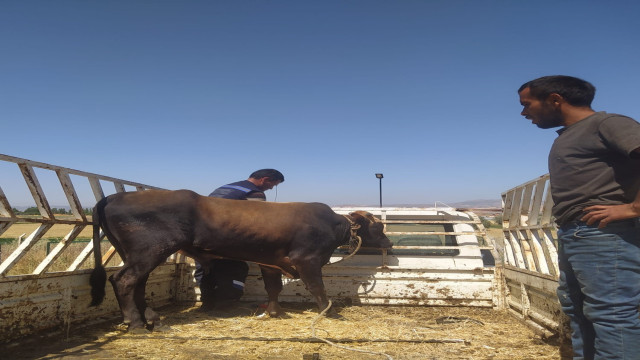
[[40, 290]]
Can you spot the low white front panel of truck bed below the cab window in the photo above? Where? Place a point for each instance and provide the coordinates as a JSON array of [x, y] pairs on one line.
[[390, 286]]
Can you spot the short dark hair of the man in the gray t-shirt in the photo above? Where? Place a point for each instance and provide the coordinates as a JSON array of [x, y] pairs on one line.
[[576, 92]]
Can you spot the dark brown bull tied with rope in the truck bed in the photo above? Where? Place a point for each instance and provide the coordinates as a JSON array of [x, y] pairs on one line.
[[146, 227]]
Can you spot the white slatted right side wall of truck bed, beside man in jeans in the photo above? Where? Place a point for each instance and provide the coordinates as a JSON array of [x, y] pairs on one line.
[[530, 254]]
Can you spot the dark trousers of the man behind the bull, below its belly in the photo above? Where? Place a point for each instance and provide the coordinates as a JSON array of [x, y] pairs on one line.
[[221, 281]]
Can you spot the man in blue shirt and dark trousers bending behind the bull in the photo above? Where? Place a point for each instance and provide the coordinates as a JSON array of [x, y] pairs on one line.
[[221, 281]]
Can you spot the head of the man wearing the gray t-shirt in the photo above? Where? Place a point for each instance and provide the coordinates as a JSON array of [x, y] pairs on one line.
[[550, 100]]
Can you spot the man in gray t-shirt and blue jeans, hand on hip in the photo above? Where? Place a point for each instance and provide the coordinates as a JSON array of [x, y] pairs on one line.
[[594, 168]]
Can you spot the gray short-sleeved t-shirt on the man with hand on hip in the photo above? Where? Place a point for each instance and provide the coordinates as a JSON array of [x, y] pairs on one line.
[[590, 164]]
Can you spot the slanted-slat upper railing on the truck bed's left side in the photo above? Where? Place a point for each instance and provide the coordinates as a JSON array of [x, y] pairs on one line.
[[47, 218]]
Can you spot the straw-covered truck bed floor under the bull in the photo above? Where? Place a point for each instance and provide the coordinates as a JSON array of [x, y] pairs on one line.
[[364, 332]]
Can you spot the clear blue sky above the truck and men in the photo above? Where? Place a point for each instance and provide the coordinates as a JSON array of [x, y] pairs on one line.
[[196, 94]]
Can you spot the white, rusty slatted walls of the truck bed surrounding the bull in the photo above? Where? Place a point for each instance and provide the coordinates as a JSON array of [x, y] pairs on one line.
[[442, 257]]
